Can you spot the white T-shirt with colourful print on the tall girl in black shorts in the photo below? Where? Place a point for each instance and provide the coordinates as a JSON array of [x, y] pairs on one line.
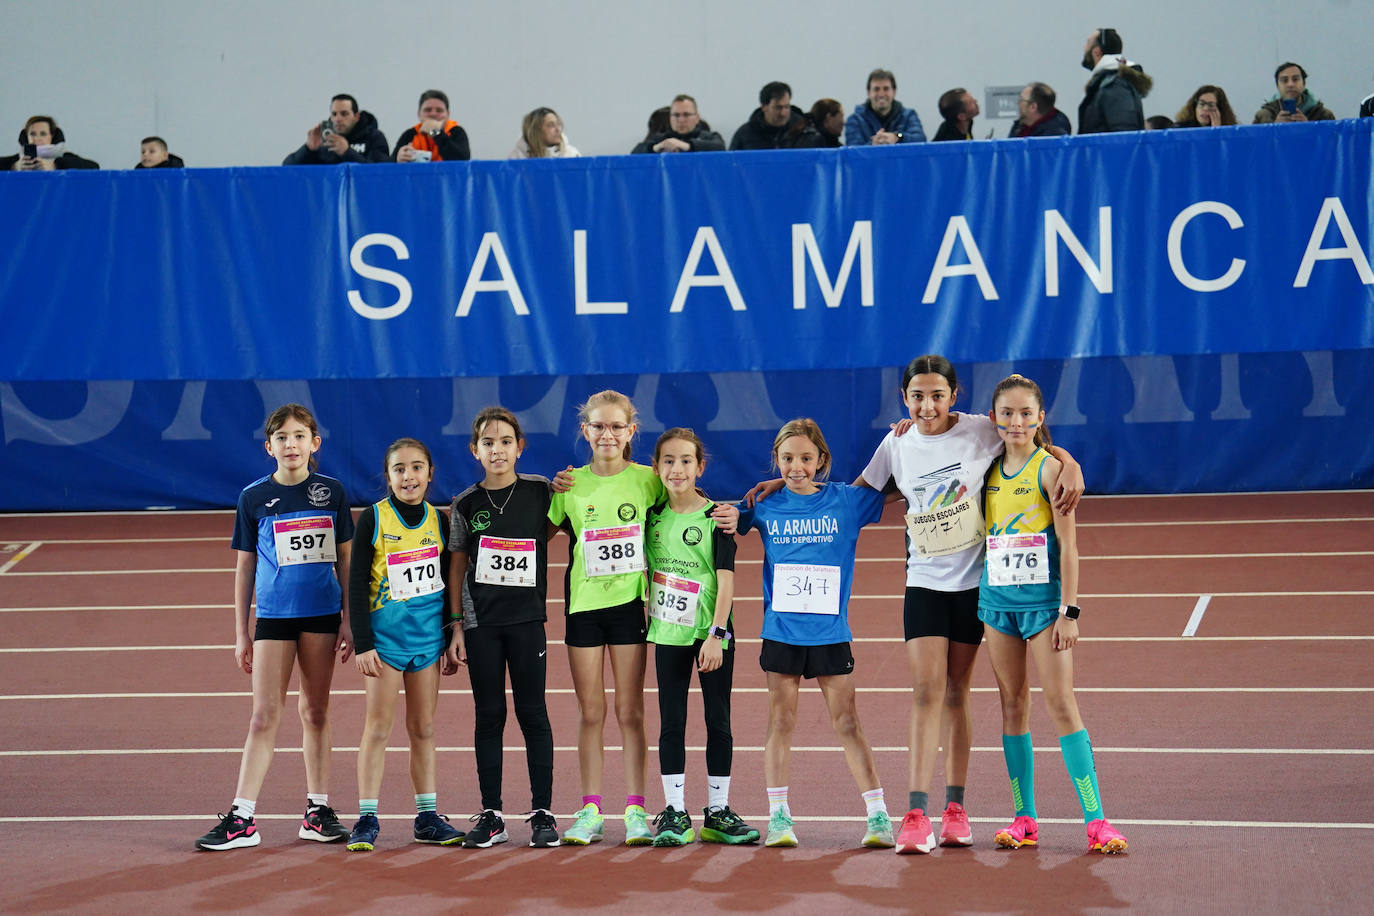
[[938, 476]]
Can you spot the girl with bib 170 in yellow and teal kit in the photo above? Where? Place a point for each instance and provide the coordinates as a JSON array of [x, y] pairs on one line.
[[396, 587]]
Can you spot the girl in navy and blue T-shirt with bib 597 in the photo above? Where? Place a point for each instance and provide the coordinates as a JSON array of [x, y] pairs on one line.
[[292, 539]]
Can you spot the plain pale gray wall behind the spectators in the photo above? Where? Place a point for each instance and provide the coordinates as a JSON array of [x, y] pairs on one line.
[[238, 83]]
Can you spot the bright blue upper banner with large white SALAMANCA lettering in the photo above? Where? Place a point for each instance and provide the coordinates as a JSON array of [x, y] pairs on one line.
[[1251, 240]]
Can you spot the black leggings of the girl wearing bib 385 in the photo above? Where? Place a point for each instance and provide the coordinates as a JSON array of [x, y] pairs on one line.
[[675, 665]]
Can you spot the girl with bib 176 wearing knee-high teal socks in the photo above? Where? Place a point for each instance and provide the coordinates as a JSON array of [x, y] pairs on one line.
[[1028, 598]]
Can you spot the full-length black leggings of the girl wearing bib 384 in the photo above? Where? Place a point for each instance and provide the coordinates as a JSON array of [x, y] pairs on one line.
[[524, 652]]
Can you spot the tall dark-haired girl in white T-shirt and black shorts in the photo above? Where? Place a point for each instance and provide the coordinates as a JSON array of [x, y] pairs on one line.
[[941, 473]]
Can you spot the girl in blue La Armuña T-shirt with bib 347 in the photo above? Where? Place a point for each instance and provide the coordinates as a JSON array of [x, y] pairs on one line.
[[810, 534]]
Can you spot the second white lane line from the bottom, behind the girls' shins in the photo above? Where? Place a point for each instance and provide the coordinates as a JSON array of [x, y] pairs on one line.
[[750, 749]]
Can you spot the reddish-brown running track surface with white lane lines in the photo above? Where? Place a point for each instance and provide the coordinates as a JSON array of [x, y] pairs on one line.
[[1200, 741]]
